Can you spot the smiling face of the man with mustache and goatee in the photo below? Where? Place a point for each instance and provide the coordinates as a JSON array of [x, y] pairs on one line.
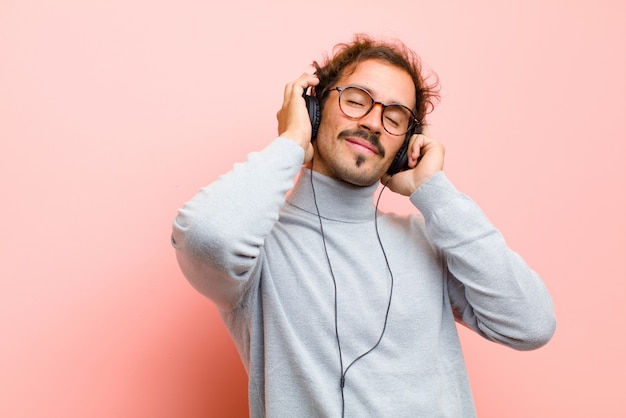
[[360, 151]]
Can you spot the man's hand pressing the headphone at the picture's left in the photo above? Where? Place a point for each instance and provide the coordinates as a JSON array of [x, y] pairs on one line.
[[293, 117]]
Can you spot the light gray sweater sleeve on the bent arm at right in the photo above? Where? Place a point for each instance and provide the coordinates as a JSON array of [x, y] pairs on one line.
[[491, 288]]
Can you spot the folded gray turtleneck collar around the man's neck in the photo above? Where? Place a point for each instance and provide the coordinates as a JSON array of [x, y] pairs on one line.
[[336, 199]]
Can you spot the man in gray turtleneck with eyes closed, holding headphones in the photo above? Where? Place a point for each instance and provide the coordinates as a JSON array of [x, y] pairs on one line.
[[336, 309]]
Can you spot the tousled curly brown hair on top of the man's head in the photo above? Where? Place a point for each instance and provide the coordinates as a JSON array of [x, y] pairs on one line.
[[363, 48]]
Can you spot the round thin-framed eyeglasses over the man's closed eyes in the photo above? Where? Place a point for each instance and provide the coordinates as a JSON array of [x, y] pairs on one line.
[[356, 102]]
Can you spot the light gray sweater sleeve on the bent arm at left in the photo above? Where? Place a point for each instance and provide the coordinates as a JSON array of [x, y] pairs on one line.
[[218, 235]]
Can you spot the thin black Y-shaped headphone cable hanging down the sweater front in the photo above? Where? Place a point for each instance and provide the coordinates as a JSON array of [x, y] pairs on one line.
[[342, 380]]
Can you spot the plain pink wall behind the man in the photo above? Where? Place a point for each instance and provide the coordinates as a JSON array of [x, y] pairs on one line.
[[114, 112]]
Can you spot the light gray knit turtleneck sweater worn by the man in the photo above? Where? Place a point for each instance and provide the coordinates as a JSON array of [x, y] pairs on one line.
[[252, 243]]
